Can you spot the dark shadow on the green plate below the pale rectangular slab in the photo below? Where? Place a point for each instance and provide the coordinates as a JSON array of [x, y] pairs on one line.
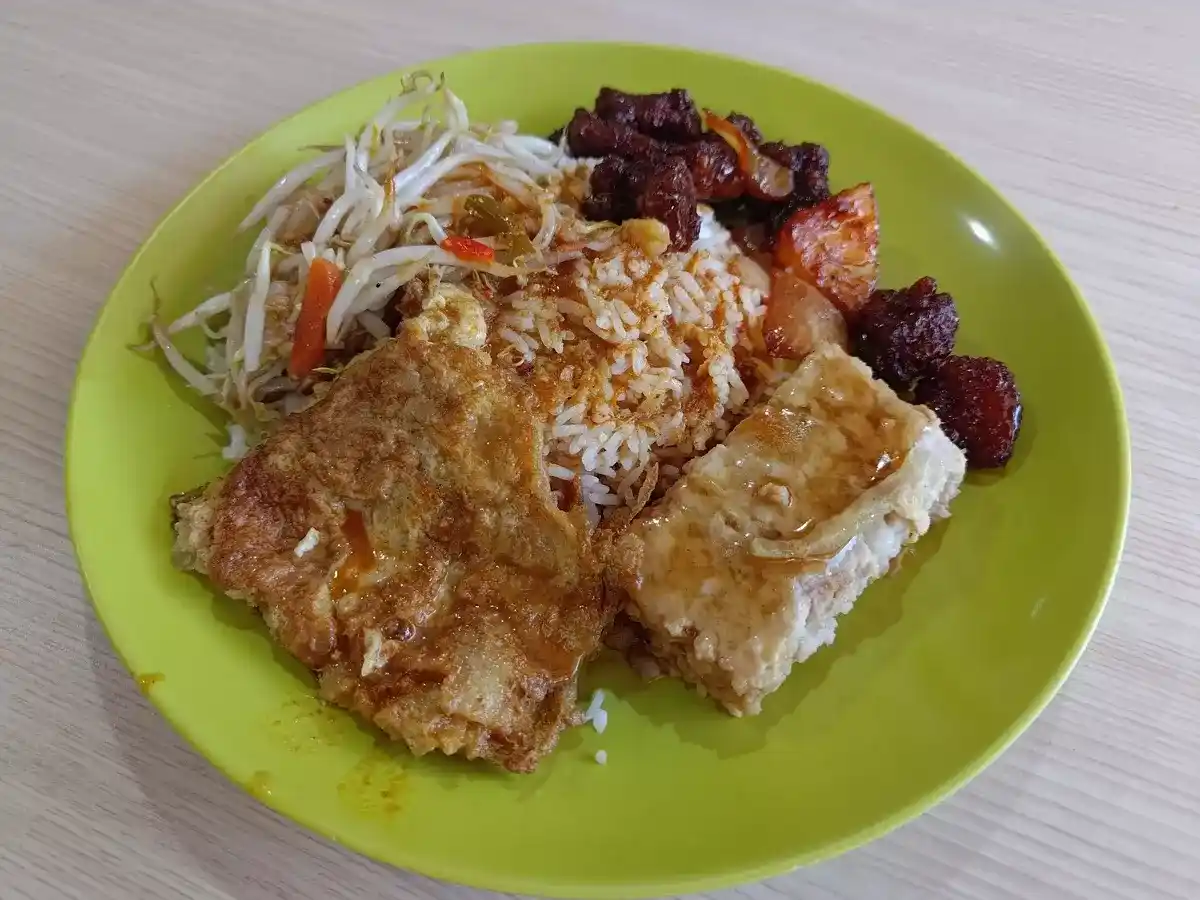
[[670, 704]]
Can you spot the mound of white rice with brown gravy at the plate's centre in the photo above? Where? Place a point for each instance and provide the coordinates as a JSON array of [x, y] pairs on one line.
[[662, 382]]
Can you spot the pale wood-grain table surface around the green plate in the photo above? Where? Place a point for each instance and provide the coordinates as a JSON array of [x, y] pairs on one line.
[[1087, 115]]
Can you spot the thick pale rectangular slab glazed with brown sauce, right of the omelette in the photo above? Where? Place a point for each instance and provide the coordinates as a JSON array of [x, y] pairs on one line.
[[743, 568]]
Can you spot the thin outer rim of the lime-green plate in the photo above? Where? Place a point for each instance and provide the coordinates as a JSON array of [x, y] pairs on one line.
[[781, 865]]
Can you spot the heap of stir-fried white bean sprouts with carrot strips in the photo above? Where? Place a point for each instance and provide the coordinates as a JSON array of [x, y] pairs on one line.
[[421, 193]]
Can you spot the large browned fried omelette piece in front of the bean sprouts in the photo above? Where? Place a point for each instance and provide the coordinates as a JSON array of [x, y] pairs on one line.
[[400, 539]]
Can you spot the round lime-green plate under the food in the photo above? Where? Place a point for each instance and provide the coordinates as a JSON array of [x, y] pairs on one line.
[[939, 668]]
